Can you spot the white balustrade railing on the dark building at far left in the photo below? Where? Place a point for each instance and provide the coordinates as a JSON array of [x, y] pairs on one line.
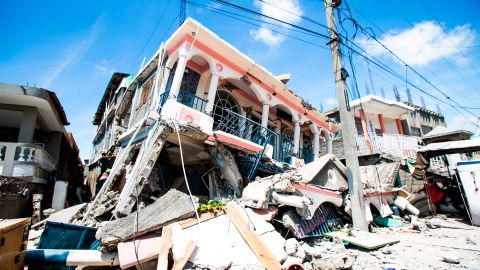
[[12, 154]]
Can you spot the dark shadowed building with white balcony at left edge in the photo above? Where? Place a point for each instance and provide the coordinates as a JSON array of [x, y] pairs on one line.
[[34, 145]]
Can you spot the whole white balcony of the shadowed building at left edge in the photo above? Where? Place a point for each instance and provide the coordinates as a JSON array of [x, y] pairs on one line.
[[27, 161]]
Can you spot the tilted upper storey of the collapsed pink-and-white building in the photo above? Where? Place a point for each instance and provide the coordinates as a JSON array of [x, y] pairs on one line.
[[198, 78]]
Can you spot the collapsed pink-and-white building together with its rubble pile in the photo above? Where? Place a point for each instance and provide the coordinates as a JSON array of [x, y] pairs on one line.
[[206, 150]]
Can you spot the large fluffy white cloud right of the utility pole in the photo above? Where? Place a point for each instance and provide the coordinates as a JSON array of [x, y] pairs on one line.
[[422, 44]]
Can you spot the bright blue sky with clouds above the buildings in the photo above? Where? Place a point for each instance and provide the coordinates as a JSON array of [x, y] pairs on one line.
[[72, 48]]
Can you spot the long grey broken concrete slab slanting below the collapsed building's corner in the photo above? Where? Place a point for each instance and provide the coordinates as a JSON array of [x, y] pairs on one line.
[[171, 207]]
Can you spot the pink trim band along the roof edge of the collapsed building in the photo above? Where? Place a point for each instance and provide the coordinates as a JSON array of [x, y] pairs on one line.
[[238, 69]]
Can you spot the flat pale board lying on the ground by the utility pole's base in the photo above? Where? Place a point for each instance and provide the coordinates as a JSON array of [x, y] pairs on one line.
[[363, 239]]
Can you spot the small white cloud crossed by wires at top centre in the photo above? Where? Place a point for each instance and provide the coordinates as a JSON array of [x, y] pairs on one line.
[[285, 10]]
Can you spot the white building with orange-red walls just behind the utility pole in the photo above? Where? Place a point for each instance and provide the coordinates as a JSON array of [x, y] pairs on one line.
[[387, 126]]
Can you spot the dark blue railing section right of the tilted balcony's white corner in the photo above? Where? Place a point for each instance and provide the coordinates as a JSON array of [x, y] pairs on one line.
[[235, 124]]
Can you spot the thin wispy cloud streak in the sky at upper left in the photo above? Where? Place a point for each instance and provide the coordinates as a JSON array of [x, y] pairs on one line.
[[72, 54]]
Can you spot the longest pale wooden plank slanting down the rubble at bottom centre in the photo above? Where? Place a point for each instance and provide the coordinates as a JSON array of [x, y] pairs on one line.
[[251, 237]]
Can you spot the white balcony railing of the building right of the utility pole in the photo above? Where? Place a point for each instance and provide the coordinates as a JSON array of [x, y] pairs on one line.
[[395, 144]]
